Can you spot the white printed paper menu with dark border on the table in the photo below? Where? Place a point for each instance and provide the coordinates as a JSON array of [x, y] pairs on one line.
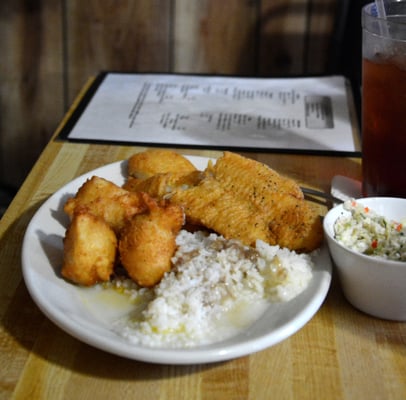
[[303, 114]]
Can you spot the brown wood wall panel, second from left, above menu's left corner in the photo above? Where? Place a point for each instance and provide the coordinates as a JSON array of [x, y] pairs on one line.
[[124, 35]]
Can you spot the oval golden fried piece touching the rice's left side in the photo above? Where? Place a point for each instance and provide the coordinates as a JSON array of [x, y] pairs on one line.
[[148, 242]]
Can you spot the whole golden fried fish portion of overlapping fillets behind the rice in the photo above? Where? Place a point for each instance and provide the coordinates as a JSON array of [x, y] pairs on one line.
[[243, 199]]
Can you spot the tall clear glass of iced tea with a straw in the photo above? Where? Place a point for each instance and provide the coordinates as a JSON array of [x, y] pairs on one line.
[[384, 100]]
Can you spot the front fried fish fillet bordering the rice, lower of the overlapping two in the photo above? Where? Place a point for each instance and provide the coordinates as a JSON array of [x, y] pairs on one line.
[[289, 222]]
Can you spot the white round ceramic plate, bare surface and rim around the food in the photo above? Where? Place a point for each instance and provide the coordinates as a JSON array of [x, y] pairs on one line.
[[87, 315]]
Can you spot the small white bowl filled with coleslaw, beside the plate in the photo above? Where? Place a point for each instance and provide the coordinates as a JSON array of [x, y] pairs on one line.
[[367, 242]]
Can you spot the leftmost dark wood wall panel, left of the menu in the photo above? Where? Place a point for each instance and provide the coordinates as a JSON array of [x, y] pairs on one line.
[[31, 99]]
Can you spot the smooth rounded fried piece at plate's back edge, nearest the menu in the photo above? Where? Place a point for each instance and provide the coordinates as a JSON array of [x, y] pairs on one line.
[[156, 161]]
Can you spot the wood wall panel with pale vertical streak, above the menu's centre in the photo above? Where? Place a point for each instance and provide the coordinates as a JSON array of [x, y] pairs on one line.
[[217, 37]]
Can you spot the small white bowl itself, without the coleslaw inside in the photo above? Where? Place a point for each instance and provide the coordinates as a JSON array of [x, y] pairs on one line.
[[373, 285]]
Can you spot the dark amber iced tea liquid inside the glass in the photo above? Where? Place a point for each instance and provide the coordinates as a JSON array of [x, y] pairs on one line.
[[384, 128]]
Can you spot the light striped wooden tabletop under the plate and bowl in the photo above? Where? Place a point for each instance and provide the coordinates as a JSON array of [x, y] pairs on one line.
[[340, 354]]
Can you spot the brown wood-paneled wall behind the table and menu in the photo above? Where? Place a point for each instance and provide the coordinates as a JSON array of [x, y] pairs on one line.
[[50, 47]]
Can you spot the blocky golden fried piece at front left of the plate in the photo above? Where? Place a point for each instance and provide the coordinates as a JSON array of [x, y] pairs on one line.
[[90, 247]]
